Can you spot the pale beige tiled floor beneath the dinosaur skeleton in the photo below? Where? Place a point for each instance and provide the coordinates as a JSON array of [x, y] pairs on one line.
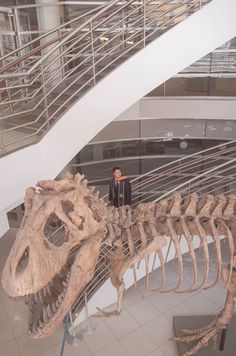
[[143, 328]]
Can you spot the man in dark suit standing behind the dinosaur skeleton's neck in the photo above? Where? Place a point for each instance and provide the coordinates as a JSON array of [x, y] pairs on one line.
[[120, 189]]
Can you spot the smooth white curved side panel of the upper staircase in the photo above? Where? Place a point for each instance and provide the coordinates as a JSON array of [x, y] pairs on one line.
[[179, 47]]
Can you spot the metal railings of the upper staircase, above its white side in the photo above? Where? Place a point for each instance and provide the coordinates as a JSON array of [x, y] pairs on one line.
[[81, 70]]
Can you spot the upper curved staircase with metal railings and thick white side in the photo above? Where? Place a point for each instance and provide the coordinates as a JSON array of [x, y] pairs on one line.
[[61, 110]]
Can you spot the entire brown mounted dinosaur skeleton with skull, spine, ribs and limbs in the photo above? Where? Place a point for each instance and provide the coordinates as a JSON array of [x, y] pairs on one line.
[[52, 275]]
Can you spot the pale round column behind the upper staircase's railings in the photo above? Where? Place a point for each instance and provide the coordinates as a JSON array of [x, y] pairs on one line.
[[48, 19]]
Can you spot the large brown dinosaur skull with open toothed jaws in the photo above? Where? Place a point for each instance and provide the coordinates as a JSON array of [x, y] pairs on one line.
[[51, 270]]
